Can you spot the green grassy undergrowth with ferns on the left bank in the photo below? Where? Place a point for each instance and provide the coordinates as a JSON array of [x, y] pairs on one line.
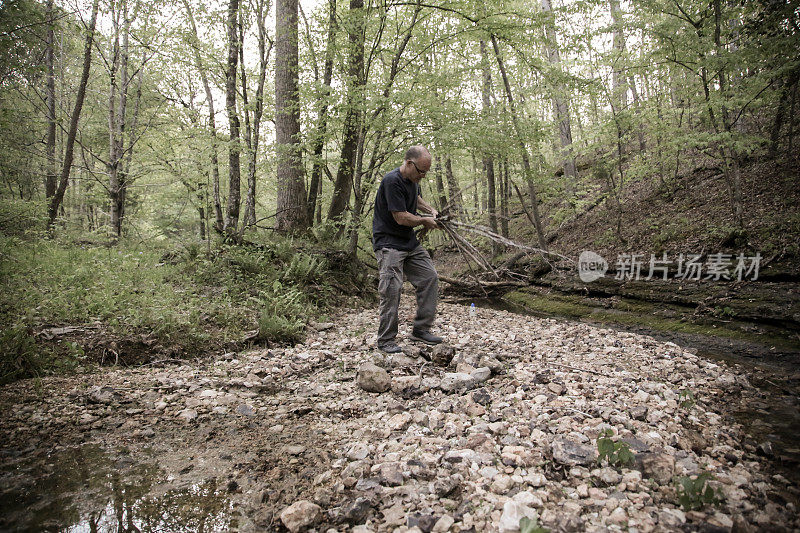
[[182, 300]]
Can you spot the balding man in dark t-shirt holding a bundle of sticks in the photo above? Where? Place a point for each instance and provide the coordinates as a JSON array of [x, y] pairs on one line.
[[398, 251]]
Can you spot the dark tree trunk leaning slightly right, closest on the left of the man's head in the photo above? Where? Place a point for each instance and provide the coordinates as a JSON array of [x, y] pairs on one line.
[[355, 86]]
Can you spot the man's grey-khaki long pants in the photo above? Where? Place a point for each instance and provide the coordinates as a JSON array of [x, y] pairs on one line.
[[418, 268]]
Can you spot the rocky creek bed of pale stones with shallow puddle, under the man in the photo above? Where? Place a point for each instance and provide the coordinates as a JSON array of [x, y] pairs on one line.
[[294, 438]]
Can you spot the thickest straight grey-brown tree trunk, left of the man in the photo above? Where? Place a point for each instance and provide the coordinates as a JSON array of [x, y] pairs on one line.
[[292, 214]]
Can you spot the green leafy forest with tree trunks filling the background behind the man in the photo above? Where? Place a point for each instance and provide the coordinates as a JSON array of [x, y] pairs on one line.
[[126, 117]]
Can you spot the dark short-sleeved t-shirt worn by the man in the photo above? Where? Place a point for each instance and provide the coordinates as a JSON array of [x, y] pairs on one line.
[[394, 194]]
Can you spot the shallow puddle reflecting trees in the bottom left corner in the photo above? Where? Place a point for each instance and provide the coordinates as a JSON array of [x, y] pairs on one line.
[[88, 490]]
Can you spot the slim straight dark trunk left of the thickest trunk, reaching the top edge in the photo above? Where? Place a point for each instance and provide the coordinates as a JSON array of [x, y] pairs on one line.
[[234, 169]]
